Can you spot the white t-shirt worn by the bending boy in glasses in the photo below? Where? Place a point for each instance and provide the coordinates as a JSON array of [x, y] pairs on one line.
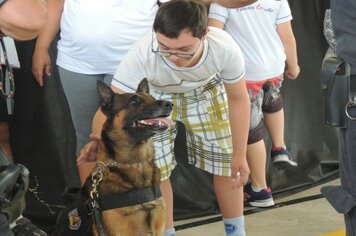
[[221, 55]]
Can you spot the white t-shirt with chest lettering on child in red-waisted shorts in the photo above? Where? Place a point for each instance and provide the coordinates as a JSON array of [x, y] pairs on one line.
[[254, 29]]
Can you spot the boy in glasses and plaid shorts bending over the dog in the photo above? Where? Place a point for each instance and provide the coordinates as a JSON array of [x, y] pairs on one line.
[[201, 71]]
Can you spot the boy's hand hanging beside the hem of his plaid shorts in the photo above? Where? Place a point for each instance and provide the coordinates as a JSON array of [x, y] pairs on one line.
[[239, 171]]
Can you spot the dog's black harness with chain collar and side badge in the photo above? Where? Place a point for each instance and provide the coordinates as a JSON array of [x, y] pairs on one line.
[[85, 208]]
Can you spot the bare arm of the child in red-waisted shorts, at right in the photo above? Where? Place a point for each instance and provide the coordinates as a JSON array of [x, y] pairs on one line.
[[286, 35]]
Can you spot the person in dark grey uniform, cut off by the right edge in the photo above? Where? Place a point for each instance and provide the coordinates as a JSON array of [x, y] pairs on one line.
[[343, 198]]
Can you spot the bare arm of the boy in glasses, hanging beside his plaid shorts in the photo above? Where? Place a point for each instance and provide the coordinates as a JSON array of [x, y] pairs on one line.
[[239, 117]]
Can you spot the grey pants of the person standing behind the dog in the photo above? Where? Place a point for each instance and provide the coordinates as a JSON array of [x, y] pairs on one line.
[[81, 93]]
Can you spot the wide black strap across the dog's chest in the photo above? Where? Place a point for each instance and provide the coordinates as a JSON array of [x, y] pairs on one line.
[[130, 198]]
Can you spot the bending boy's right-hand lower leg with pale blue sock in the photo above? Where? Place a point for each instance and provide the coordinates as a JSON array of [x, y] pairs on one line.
[[230, 201]]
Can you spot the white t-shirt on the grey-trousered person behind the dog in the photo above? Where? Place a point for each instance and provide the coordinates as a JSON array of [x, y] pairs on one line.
[[96, 35]]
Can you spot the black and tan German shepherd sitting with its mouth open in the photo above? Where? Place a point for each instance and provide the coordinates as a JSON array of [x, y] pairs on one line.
[[125, 182]]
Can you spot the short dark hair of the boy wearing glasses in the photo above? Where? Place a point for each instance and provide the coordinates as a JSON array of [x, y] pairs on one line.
[[177, 15]]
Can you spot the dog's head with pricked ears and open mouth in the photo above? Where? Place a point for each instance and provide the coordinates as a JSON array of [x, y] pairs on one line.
[[133, 116]]
